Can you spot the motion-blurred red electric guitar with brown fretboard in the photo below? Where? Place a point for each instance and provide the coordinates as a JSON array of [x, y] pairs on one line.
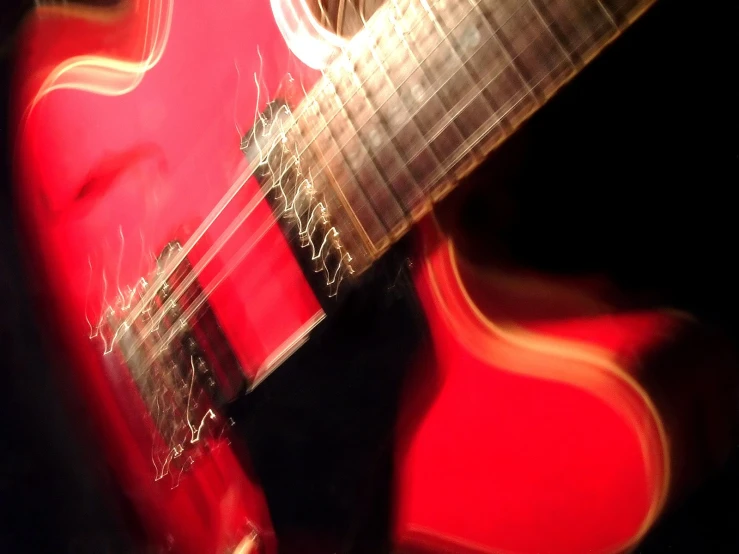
[[200, 184]]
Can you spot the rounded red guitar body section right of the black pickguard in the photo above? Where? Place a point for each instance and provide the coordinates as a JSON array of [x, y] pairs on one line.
[[527, 429]]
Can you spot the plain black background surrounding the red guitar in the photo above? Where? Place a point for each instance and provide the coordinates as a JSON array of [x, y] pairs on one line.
[[631, 170]]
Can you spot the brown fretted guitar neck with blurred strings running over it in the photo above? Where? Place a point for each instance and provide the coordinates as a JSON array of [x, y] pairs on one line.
[[425, 91]]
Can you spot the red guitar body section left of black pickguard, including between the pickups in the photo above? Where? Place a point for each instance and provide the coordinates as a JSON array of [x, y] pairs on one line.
[[129, 125]]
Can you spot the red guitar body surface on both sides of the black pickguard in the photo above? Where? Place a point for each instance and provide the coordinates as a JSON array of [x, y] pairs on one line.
[[534, 425]]
